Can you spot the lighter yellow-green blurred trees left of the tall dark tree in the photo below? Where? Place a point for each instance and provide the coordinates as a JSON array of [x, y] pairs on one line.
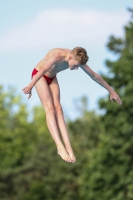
[[30, 167]]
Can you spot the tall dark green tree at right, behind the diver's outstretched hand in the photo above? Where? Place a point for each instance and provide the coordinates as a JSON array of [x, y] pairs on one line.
[[110, 171]]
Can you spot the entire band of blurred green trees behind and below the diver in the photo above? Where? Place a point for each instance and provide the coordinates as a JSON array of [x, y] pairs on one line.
[[30, 168]]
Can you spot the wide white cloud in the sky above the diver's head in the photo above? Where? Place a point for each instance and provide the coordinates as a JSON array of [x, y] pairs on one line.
[[61, 26]]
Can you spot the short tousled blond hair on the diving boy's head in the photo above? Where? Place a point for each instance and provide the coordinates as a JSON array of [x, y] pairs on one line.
[[80, 55]]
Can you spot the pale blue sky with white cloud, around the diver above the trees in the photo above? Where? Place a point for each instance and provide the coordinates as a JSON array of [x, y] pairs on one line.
[[30, 28]]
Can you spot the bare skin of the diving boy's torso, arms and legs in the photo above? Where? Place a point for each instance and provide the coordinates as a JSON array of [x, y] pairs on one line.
[[54, 62]]
